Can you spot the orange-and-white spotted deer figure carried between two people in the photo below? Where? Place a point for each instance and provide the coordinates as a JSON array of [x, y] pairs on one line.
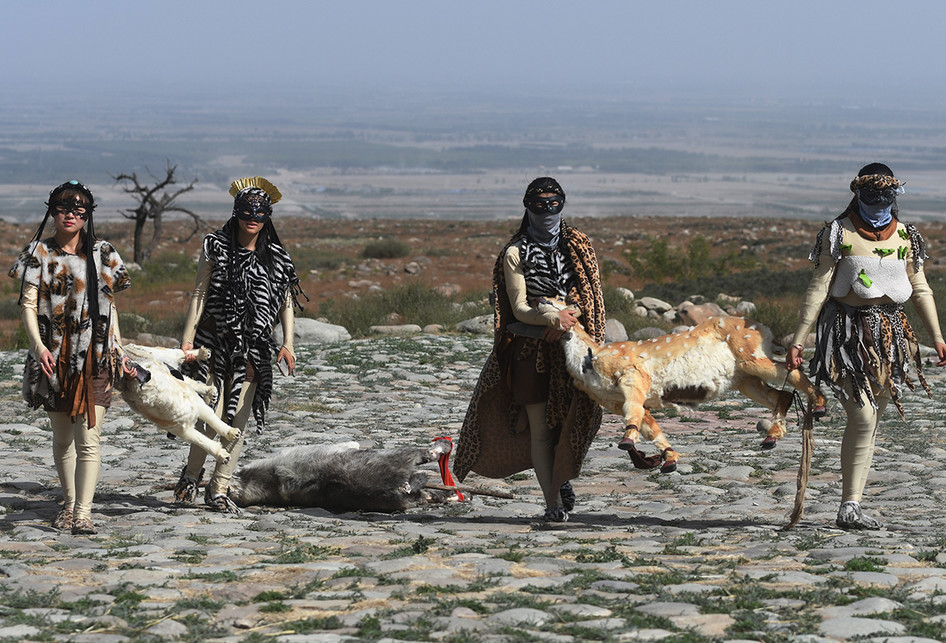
[[687, 368]]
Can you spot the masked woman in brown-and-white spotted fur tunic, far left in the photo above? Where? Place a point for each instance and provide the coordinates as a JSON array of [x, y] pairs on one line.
[[67, 285]]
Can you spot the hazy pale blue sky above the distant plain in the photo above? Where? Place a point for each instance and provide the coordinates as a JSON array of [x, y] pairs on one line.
[[799, 48]]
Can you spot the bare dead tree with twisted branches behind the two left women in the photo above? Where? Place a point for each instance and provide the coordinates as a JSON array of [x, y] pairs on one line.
[[154, 201]]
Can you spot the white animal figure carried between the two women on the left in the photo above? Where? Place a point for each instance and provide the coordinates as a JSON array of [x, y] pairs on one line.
[[174, 402]]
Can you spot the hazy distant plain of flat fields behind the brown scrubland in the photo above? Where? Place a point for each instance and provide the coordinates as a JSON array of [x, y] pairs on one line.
[[351, 156]]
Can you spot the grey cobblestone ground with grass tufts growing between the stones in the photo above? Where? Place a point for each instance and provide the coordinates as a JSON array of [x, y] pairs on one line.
[[696, 555]]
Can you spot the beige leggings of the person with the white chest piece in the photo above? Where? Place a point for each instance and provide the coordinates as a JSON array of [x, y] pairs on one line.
[[857, 445]]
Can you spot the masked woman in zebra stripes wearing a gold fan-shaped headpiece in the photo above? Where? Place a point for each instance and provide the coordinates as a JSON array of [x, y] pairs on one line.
[[246, 282]]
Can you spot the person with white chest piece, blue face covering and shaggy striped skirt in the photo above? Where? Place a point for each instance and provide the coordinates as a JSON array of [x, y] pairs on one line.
[[867, 265]]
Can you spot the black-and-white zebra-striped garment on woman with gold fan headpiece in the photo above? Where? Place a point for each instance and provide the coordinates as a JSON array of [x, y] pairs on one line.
[[243, 304]]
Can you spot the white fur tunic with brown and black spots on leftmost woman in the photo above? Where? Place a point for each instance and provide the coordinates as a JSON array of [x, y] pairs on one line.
[[63, 312]]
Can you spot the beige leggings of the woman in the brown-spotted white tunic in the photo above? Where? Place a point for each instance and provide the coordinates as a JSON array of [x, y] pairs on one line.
[[78, 457]]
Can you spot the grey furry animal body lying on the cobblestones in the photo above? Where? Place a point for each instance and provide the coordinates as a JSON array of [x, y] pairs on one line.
[[340, 478]]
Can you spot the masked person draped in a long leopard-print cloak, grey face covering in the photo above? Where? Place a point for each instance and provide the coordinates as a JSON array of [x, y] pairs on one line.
[[525, 412]]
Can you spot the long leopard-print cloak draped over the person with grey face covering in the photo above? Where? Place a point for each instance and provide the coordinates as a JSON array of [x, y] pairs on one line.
[[494, 440]]
